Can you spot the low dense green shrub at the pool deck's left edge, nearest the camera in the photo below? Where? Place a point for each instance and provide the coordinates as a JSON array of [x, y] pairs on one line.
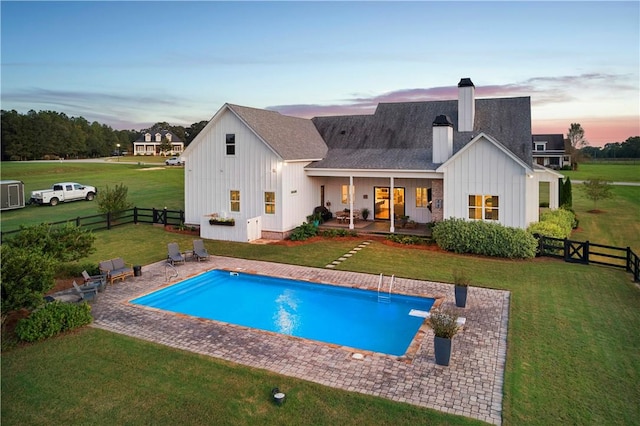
[[51, 319]]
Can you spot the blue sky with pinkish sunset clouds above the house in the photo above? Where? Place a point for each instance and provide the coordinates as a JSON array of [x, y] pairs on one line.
[[132, 64]]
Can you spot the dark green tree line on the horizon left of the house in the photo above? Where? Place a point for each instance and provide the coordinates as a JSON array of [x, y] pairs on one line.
[[52, 135]]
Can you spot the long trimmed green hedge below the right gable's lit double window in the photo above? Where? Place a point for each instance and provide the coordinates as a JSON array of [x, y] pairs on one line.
[[484, 238]]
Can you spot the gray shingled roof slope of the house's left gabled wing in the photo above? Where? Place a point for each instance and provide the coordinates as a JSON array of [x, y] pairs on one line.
[[292, 138]]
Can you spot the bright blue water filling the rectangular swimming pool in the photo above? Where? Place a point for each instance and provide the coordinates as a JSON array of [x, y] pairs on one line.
[[331, 314]]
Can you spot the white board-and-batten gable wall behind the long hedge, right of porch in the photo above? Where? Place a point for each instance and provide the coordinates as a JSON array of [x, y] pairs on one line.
[[484, 169]]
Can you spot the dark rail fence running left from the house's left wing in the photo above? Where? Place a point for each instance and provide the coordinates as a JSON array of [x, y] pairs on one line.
[[112, 219]]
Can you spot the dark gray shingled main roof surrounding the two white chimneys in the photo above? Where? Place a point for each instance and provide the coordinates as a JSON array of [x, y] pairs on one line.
[[400, 135]]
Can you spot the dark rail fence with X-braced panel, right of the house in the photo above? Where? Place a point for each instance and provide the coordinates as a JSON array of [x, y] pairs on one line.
[[586, 252]]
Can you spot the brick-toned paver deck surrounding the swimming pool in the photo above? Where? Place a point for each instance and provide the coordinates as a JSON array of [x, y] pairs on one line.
[[470, 386]]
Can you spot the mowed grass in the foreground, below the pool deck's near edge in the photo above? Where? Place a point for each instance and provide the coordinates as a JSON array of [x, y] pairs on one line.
[[94, 377]]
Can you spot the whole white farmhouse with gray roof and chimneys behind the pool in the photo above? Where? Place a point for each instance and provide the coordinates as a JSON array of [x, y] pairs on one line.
[[466, 158]]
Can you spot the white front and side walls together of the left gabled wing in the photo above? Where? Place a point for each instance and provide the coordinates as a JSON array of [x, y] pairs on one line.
[[210, 175]]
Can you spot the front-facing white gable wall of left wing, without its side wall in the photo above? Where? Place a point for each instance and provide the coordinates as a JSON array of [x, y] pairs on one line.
[[211, 175]]
